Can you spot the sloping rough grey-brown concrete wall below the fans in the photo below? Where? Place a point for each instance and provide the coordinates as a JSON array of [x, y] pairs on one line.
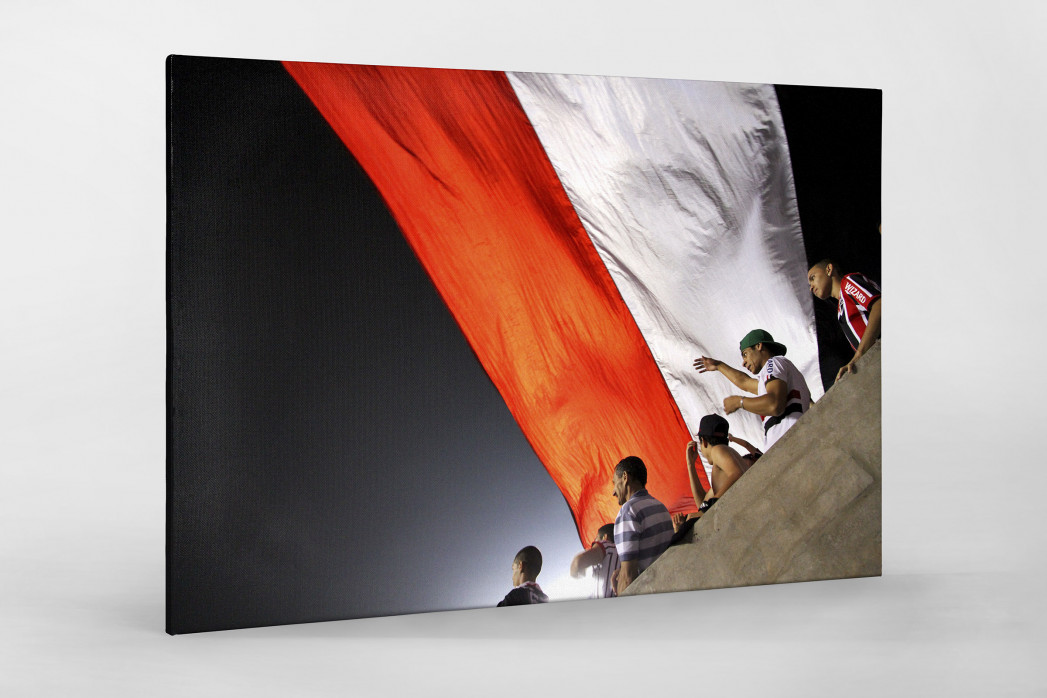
[[809, 510]]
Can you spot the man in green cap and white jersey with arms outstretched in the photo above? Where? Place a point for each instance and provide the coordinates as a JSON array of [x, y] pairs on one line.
[[782, 392]]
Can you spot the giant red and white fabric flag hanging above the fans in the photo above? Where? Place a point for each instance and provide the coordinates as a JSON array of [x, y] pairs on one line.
[[592, 237]]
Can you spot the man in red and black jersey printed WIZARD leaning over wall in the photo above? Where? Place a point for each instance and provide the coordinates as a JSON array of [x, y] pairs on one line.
[[859, 306]]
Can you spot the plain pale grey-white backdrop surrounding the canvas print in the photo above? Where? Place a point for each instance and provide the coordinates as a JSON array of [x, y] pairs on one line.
[[961, 609]]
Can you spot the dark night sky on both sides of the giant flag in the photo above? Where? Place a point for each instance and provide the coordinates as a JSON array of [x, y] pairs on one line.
[[337, 451]]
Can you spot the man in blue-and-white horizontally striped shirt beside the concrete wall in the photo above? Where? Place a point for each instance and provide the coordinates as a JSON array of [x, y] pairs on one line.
[[643, 528]]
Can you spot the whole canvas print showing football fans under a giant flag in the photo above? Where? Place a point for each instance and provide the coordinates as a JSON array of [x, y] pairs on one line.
[[445, 340]]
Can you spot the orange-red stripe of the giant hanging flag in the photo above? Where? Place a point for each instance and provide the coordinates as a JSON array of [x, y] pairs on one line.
[[471, 187]]
